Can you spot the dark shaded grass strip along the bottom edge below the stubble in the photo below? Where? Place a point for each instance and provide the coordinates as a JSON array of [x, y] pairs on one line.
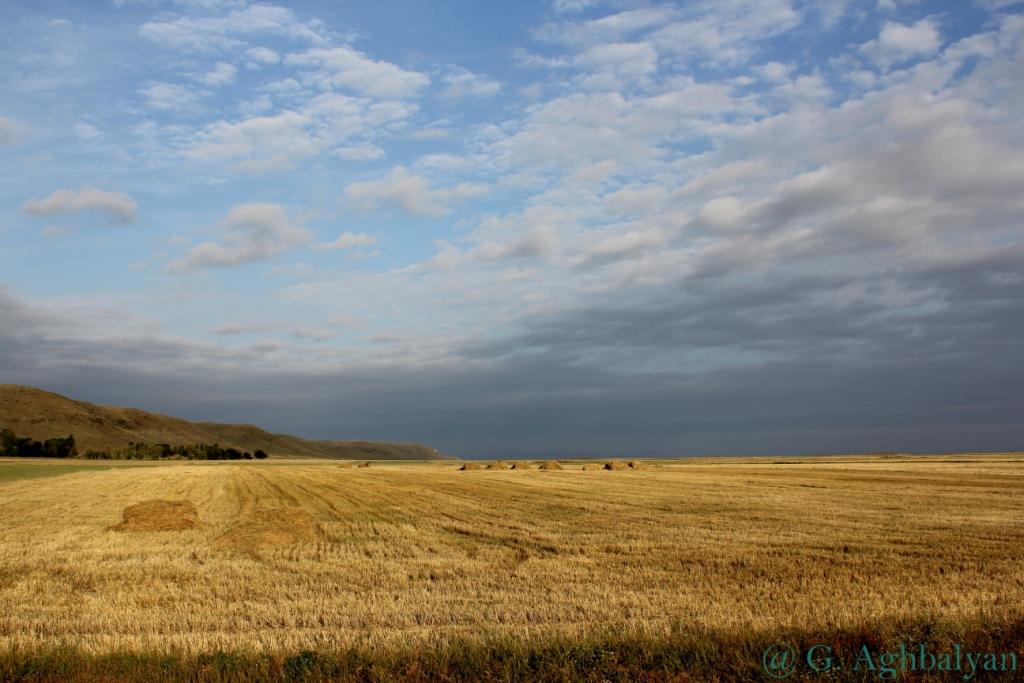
[[686, 656]]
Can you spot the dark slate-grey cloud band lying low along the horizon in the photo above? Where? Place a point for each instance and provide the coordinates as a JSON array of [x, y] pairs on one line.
[[854, 379]]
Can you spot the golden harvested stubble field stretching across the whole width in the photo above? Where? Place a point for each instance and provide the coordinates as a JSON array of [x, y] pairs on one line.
[[313, 556]]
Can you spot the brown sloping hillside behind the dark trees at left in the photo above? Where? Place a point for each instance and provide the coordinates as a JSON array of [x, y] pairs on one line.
[[42, 415]]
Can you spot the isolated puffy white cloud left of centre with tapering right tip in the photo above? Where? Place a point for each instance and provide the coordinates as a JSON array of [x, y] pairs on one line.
[[410, 193]]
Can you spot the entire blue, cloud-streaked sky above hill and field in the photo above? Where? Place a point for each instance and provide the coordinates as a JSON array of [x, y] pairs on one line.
[[553, 228]]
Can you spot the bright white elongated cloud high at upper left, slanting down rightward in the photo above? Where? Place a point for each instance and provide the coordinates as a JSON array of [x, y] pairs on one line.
[[347, 68]]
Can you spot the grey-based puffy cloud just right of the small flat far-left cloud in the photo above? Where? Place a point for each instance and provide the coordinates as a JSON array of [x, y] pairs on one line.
[[249, 233]]
